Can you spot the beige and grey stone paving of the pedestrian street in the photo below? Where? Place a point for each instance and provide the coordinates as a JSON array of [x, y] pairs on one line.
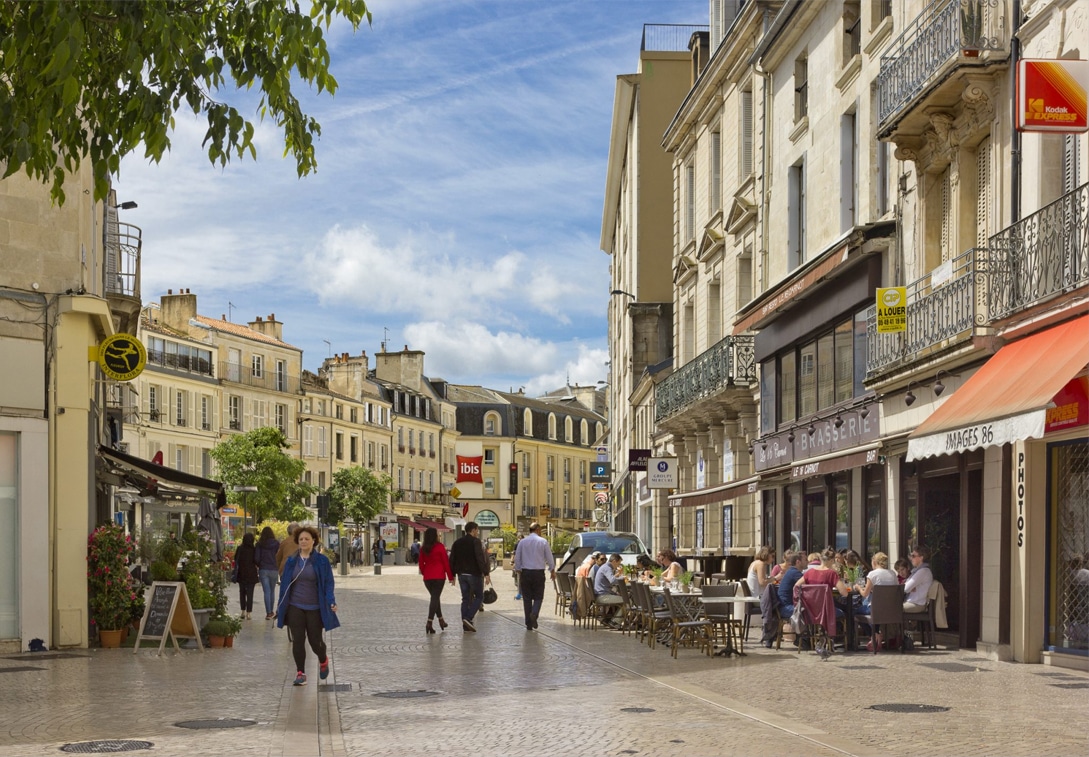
[[506, 691]]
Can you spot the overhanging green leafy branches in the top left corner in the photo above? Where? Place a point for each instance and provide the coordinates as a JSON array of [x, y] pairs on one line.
[[95, 79]]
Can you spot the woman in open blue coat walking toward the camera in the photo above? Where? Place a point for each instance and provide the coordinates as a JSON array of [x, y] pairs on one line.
[[308, 604]]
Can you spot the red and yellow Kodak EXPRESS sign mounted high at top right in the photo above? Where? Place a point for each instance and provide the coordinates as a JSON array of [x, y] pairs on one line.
[[1051, 96]]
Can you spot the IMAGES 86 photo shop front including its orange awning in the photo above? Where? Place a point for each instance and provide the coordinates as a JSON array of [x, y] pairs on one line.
[[996, 479]]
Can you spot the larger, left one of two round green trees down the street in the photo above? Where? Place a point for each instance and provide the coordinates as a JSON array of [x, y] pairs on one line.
[[260, 458]]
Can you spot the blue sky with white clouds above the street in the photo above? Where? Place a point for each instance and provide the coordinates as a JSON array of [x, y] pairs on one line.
[[457, 207]]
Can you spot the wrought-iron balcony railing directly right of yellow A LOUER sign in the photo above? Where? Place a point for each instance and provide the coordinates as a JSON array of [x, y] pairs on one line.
[[946, 304]]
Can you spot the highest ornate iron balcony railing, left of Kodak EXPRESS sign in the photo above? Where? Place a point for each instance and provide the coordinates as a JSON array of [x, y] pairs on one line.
[[945, 32]]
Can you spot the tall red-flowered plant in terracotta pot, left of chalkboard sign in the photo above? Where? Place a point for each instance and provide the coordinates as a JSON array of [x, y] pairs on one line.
[[109, 587]]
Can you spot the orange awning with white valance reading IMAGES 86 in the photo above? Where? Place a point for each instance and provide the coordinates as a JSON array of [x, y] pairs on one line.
[[1007, 400]]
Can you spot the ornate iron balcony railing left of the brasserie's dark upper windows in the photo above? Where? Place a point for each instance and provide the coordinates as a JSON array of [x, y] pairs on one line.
[[731, 362]]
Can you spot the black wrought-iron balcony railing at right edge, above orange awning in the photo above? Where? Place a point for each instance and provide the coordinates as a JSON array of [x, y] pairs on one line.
[[1042, 257]]
